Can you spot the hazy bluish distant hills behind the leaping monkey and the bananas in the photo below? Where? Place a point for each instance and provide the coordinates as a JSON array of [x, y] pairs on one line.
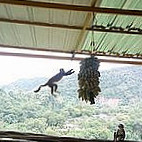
[[117, 83]]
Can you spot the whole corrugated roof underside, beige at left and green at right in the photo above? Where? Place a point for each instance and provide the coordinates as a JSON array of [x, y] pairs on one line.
[[23, 26]]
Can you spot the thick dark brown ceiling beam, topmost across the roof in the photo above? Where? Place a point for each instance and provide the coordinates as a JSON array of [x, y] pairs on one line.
[[73, 7]]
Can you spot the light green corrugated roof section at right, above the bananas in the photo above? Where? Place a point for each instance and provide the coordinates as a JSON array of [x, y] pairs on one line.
[[117, 43]]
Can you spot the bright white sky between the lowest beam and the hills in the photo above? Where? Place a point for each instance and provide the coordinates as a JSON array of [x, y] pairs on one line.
[[13, 68]]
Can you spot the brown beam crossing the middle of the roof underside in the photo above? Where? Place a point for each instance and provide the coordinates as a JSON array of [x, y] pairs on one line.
[[41, 24]]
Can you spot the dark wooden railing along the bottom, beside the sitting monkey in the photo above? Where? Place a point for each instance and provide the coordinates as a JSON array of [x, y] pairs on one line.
[[18, 136]]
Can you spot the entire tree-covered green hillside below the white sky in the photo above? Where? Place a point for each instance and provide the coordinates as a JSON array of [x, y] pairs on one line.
[[65, 115]]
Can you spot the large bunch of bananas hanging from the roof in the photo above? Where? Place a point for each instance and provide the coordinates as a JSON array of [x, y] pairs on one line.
[[89, 79]]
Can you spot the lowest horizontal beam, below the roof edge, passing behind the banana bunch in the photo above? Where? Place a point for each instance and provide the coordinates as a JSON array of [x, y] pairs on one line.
[[28, 55]]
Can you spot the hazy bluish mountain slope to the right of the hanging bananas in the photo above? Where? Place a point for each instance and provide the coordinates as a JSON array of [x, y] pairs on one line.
[[122, 82]]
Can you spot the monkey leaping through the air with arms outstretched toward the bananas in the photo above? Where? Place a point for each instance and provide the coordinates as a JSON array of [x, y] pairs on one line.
[[51, 82]]
